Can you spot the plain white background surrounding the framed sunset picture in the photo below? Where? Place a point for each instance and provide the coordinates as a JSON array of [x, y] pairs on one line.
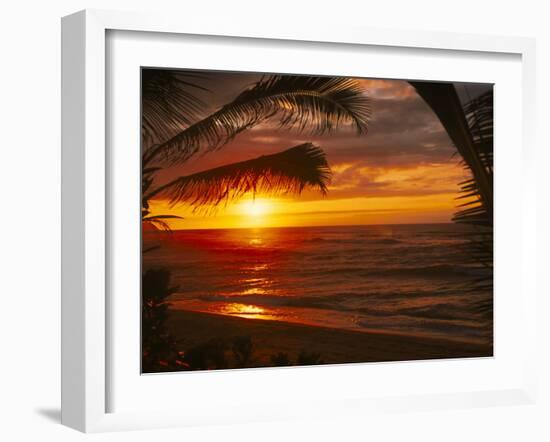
[[30, 218]]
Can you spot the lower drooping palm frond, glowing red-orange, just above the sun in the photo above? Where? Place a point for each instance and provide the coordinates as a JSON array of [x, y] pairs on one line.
[[287, 172]]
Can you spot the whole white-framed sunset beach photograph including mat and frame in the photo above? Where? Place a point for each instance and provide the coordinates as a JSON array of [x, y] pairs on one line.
[[252, 213]]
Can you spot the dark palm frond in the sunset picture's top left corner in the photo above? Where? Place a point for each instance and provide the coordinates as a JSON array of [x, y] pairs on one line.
[[168, 102]]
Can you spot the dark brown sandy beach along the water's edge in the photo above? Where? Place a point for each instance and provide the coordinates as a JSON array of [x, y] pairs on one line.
[[333, 345]]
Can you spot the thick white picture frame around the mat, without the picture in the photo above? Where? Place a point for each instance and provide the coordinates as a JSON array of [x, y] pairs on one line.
[[86, 317]]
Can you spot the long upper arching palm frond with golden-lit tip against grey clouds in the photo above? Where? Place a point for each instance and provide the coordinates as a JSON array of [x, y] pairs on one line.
[[319, 104]]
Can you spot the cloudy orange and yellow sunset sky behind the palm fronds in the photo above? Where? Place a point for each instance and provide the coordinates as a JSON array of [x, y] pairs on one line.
[[402, 171]]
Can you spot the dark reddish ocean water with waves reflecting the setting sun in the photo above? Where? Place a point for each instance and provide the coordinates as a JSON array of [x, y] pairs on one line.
[[407, 279]]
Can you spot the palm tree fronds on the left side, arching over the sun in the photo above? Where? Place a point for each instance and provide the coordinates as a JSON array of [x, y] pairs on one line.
[[172, 133]]
